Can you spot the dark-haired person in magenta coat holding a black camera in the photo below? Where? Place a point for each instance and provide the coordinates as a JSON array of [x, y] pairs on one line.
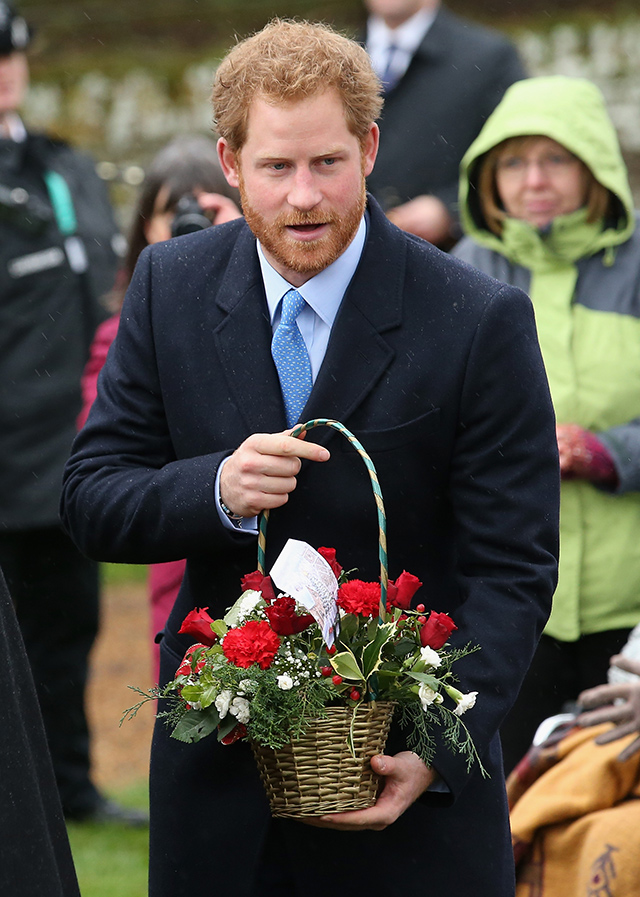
[[184, 190]]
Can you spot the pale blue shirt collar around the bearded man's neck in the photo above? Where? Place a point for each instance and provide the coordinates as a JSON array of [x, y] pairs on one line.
[[324, 291]]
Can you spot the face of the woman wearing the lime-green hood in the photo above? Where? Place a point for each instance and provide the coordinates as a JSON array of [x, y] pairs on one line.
[[540, 180]]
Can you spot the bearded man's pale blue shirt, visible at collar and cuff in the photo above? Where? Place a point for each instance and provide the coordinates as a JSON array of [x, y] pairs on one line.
[[323, 294]]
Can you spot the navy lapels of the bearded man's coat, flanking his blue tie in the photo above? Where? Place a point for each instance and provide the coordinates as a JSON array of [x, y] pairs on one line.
[[357, 354]]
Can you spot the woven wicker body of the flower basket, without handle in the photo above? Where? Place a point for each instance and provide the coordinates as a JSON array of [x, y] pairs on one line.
[[317, 773]]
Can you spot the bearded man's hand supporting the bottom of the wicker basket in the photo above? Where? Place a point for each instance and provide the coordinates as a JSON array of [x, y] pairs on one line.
[[407, 777]]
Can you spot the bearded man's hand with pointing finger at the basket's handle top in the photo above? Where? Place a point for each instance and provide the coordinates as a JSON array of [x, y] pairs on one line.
[[262, 471]]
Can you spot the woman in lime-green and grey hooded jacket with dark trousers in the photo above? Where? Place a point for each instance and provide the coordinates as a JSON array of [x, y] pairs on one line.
[[546, 205]]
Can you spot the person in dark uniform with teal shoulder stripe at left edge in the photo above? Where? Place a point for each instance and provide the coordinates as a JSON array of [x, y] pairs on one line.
[[57, 258]]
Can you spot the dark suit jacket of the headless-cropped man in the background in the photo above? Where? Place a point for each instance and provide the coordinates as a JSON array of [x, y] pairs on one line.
[[455, 80]]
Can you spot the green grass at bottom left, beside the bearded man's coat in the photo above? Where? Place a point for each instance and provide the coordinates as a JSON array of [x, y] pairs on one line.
[[111, 860]]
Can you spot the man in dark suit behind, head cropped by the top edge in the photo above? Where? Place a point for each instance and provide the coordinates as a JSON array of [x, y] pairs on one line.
[[442, 77]]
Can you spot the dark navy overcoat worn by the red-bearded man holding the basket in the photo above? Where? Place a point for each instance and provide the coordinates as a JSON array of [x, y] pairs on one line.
[[436, 368]]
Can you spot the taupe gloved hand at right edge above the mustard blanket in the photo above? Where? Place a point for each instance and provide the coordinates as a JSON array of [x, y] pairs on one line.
[[625, 715]]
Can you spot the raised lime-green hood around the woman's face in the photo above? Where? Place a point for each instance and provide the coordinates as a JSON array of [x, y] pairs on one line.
[[570, 111]]
